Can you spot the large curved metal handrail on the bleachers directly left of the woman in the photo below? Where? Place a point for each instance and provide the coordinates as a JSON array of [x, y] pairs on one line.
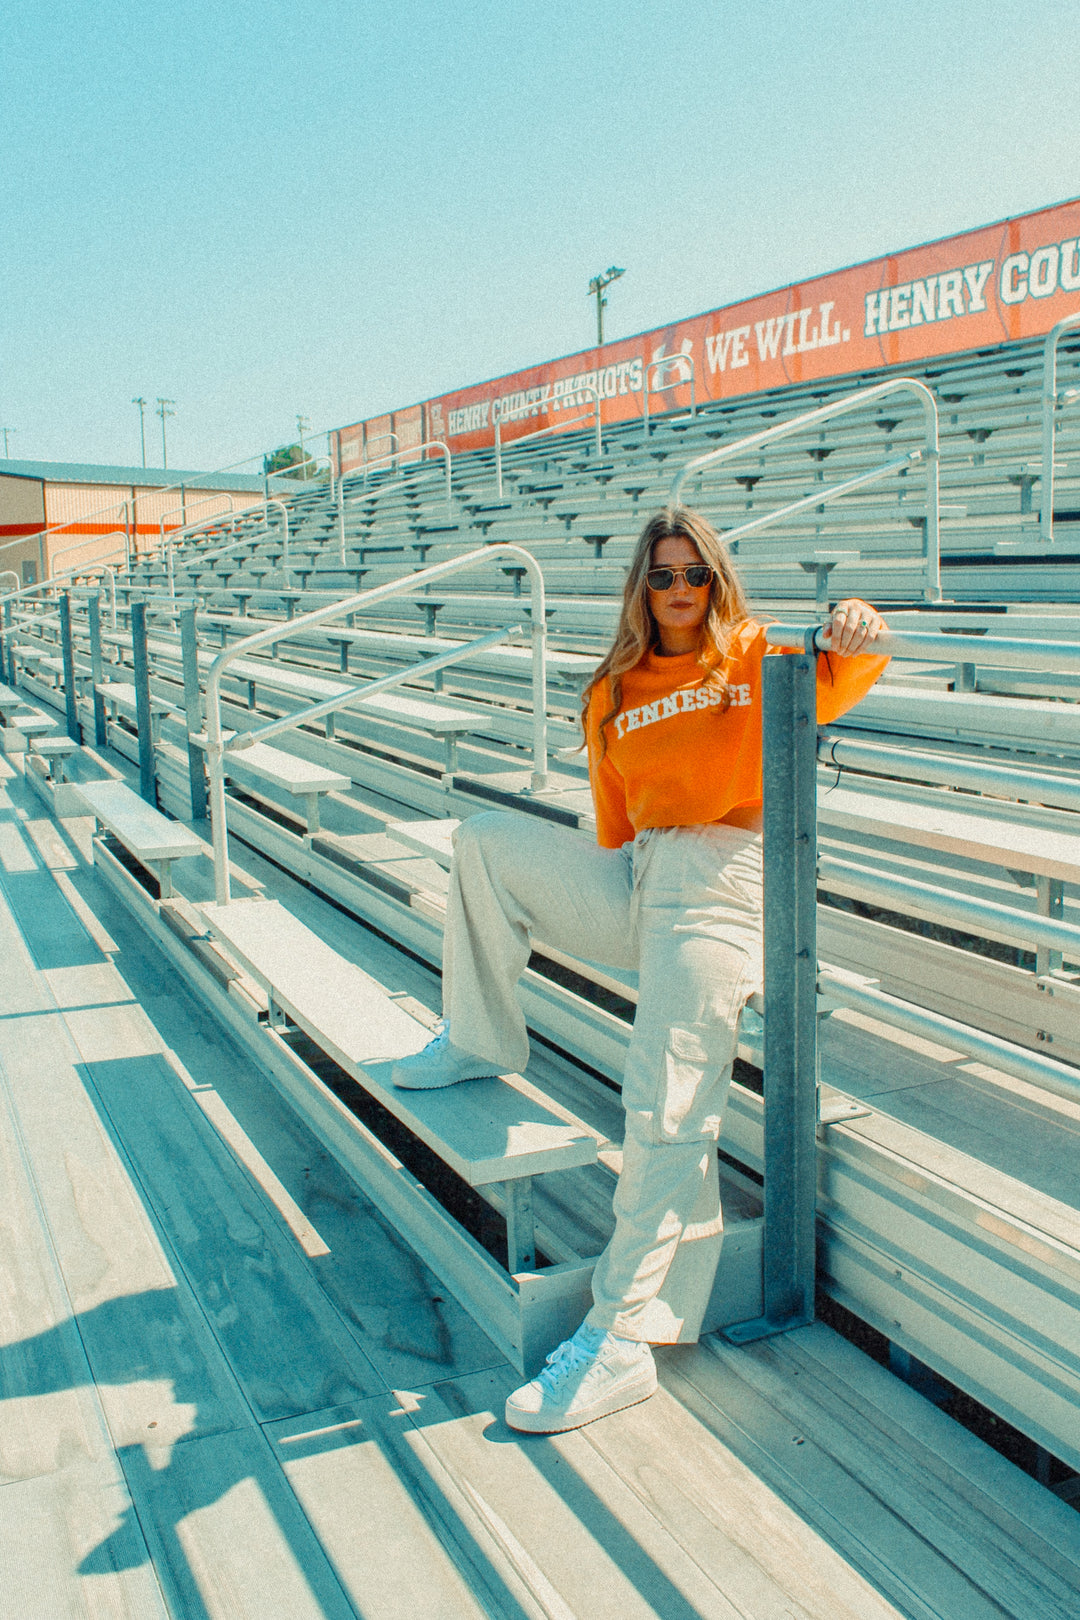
[[409, 584]]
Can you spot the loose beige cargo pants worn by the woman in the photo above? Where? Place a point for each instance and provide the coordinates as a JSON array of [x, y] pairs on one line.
[[682, 906]]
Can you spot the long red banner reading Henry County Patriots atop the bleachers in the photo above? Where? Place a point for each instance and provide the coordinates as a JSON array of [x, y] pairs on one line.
[[976, 291]]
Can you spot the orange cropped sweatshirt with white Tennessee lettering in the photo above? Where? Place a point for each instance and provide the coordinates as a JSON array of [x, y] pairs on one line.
[[686, 744]]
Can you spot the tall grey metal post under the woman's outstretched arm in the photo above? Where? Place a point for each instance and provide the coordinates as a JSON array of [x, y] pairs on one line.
[[791, 995]]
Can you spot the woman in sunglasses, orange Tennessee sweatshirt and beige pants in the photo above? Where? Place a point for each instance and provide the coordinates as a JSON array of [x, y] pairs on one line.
[[673, 889]]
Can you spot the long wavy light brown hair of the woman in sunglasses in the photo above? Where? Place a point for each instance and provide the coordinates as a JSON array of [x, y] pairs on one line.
[[639, 631]]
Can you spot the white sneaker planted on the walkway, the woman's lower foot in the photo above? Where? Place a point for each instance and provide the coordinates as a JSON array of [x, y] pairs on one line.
[[589, 1376]]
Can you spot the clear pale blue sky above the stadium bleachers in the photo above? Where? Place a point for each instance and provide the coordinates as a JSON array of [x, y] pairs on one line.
[[260, 208]]
